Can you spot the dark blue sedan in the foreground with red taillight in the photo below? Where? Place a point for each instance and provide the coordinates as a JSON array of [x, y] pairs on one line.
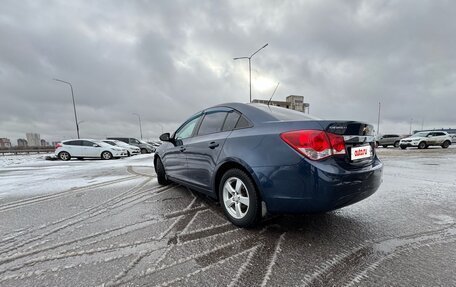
[[257, 159]]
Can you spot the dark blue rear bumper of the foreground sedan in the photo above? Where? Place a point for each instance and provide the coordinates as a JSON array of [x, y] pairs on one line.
[[319, 187]]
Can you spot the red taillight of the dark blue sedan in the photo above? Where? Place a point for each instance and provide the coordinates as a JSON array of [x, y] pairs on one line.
[[314, 144]]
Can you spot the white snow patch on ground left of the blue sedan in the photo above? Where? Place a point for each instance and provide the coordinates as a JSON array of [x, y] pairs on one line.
[[25, 175]]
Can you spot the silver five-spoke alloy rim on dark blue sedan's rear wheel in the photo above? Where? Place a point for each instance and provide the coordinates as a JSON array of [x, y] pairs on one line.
[[236, 197]]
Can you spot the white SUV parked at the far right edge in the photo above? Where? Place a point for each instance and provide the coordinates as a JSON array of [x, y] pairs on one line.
[[425, 139]]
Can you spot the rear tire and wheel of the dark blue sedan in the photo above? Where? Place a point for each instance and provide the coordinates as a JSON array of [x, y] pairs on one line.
[[239, 198]]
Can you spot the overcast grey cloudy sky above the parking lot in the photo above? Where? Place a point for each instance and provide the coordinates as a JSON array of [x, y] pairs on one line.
[[169, 59]]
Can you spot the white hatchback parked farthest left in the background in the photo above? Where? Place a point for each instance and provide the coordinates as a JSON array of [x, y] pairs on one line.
[[87, 148]]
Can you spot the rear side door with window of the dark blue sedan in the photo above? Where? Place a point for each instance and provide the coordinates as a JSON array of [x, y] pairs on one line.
[[202, 151]]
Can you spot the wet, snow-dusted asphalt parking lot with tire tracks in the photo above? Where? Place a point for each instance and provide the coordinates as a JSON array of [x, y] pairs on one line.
[[125, 230]]
